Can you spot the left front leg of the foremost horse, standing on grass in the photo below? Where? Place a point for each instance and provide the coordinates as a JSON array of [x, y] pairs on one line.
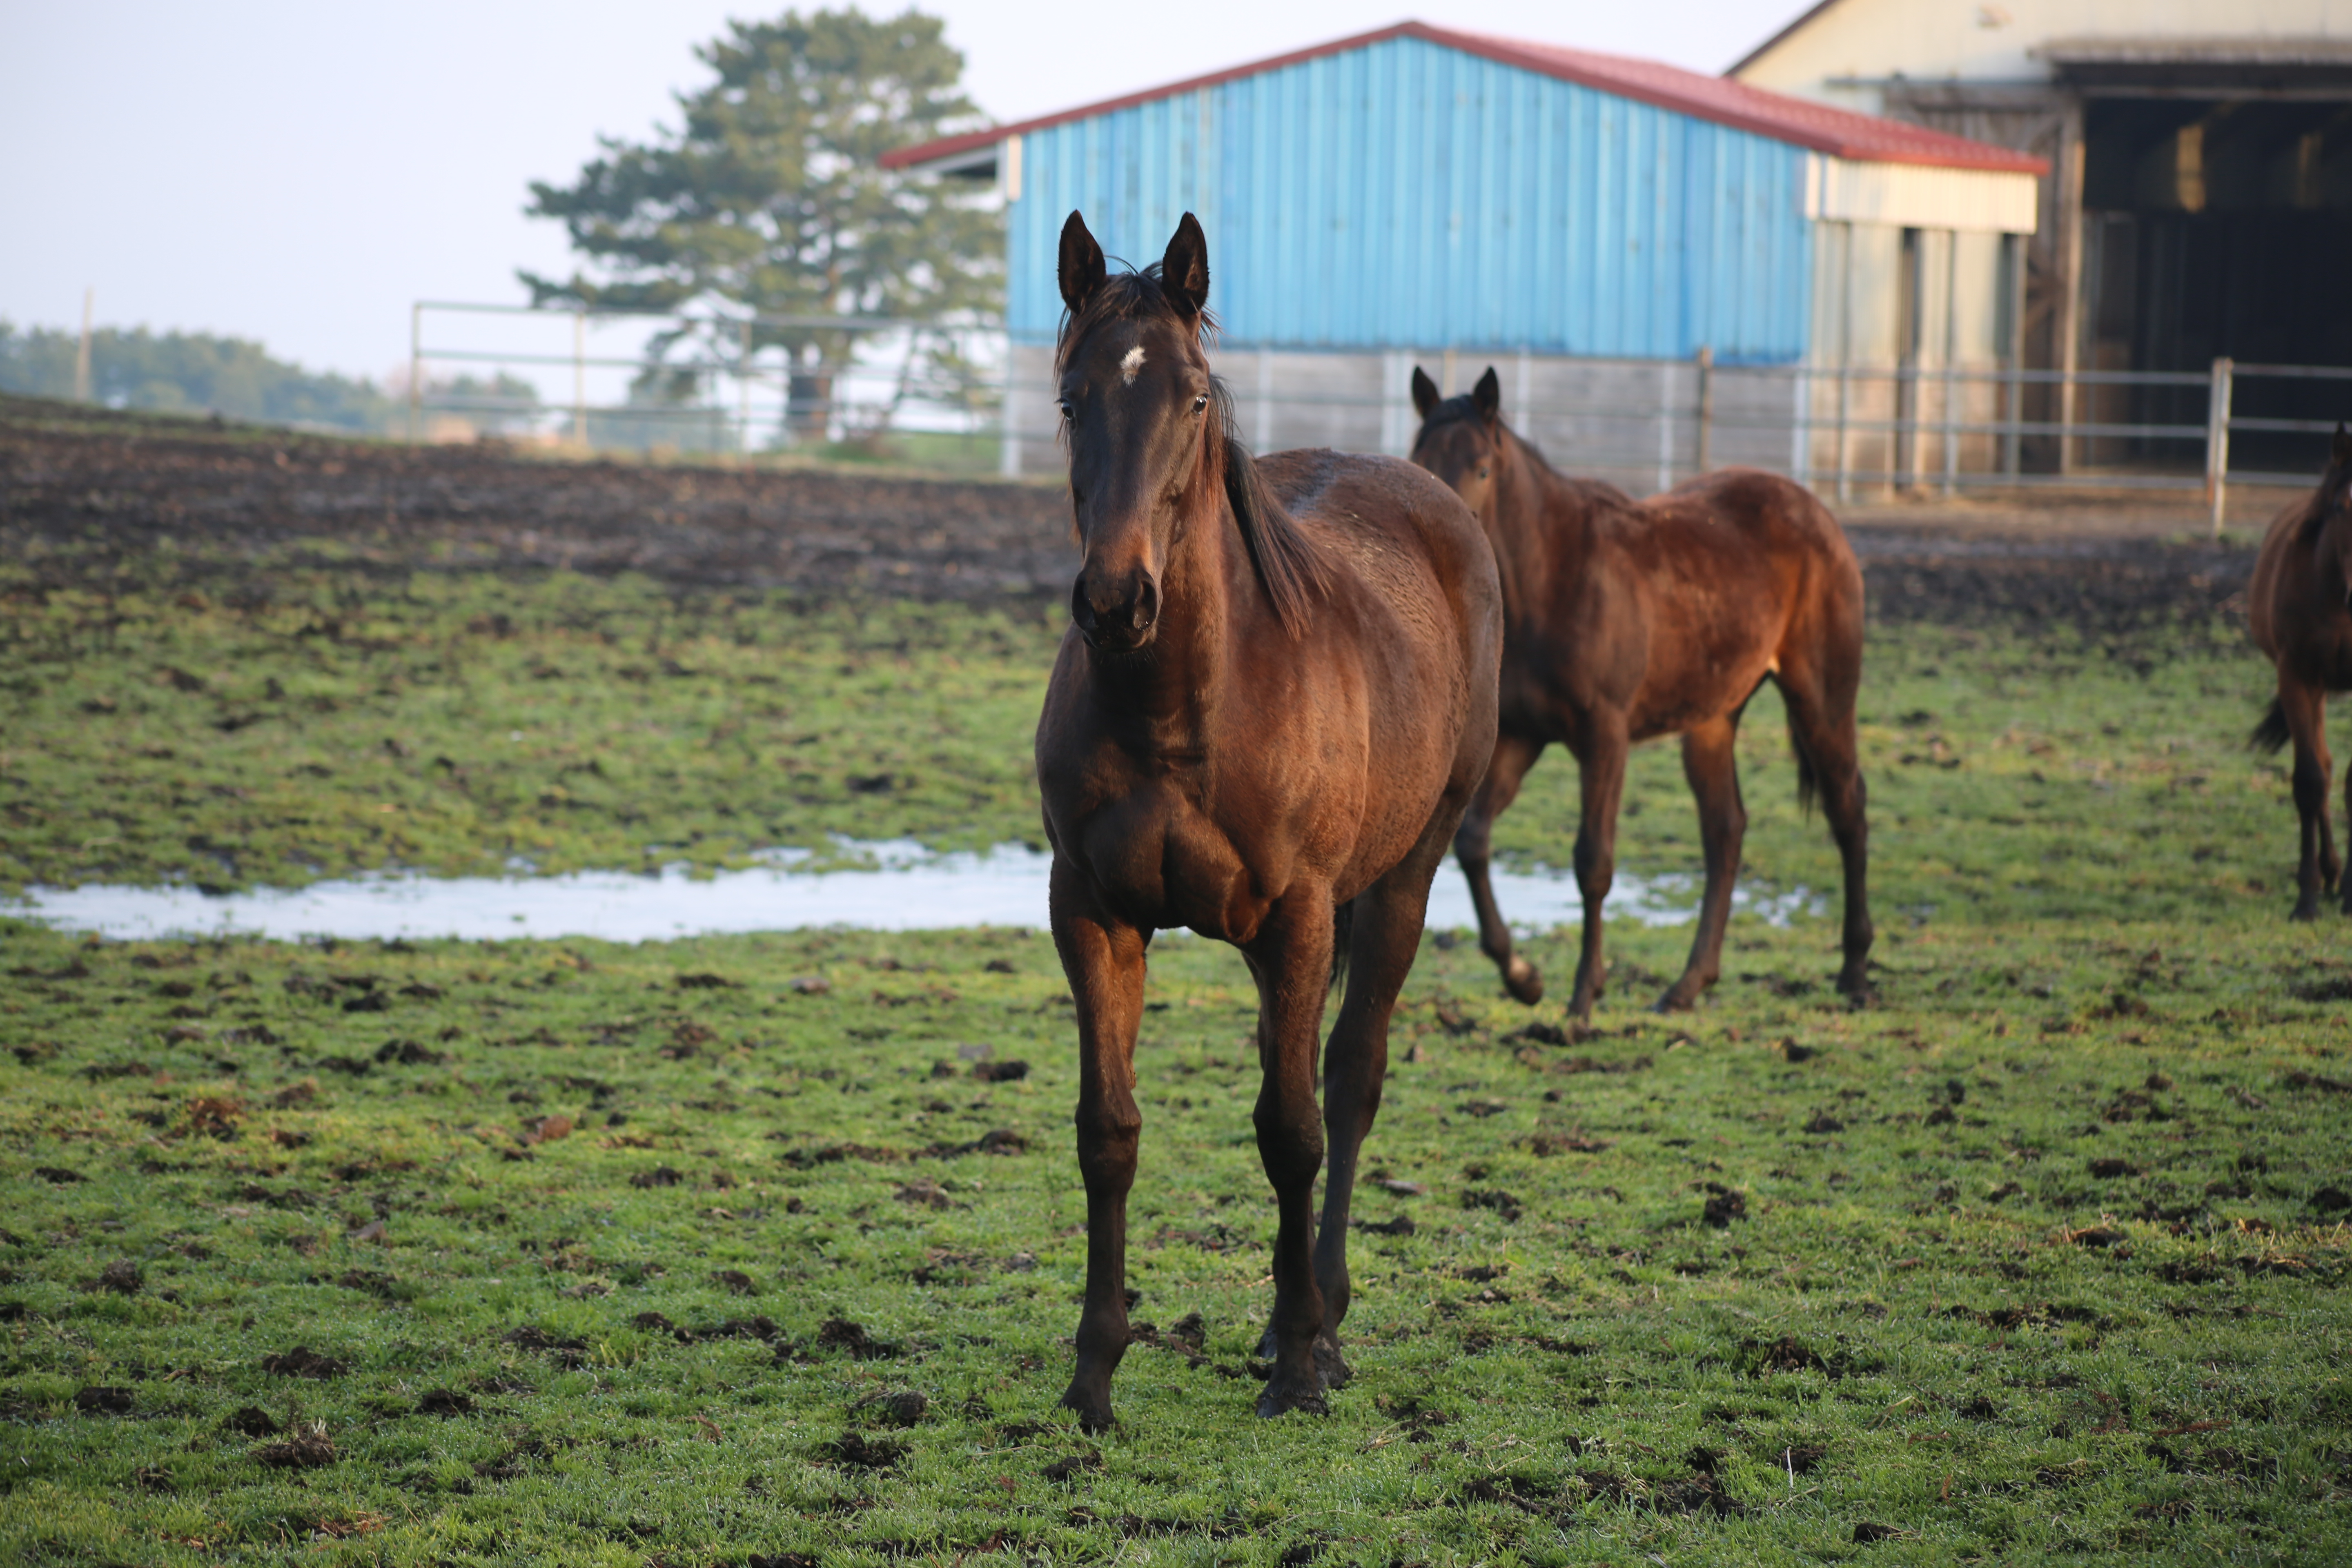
[[1104, 960]]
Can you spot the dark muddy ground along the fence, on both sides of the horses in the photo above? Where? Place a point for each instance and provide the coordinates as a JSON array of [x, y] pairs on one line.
[[98, 495]]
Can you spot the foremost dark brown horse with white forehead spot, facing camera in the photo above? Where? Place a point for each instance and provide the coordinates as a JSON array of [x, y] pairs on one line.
[[1264, 725]]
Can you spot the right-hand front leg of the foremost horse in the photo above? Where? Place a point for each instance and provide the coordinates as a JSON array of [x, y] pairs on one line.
[[1292, 960]]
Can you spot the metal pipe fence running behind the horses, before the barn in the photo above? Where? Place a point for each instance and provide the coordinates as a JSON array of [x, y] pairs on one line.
[[740, 382]]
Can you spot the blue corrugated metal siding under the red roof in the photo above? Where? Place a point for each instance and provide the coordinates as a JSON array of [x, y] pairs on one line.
[[1412, 196]]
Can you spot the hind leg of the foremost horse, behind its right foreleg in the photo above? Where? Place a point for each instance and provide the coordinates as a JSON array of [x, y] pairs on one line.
[[1384, 942]]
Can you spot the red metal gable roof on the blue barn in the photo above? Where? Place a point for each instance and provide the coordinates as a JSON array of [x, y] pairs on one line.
[[1704, 98]]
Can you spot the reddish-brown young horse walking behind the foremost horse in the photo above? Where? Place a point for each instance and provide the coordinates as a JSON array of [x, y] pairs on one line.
[[1633, 619]]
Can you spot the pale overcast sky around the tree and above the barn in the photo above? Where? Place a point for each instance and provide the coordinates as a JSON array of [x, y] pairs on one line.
[[302, 173]]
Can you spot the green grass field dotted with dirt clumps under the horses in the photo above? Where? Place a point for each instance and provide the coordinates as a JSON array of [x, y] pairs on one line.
[[759, 1249]]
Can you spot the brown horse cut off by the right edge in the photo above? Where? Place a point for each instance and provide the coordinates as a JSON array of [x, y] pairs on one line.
[[2301, 612]]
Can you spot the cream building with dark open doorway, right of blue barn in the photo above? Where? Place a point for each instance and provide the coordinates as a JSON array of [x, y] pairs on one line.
[[2198, 206]]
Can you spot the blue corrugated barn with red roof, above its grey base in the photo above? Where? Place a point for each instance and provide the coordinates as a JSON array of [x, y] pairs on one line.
[[1422, 187]]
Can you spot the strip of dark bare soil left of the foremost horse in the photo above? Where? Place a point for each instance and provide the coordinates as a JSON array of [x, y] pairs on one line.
[[112, 488]]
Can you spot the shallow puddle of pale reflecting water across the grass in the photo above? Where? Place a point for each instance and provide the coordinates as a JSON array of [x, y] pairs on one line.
[[909, 890]]
